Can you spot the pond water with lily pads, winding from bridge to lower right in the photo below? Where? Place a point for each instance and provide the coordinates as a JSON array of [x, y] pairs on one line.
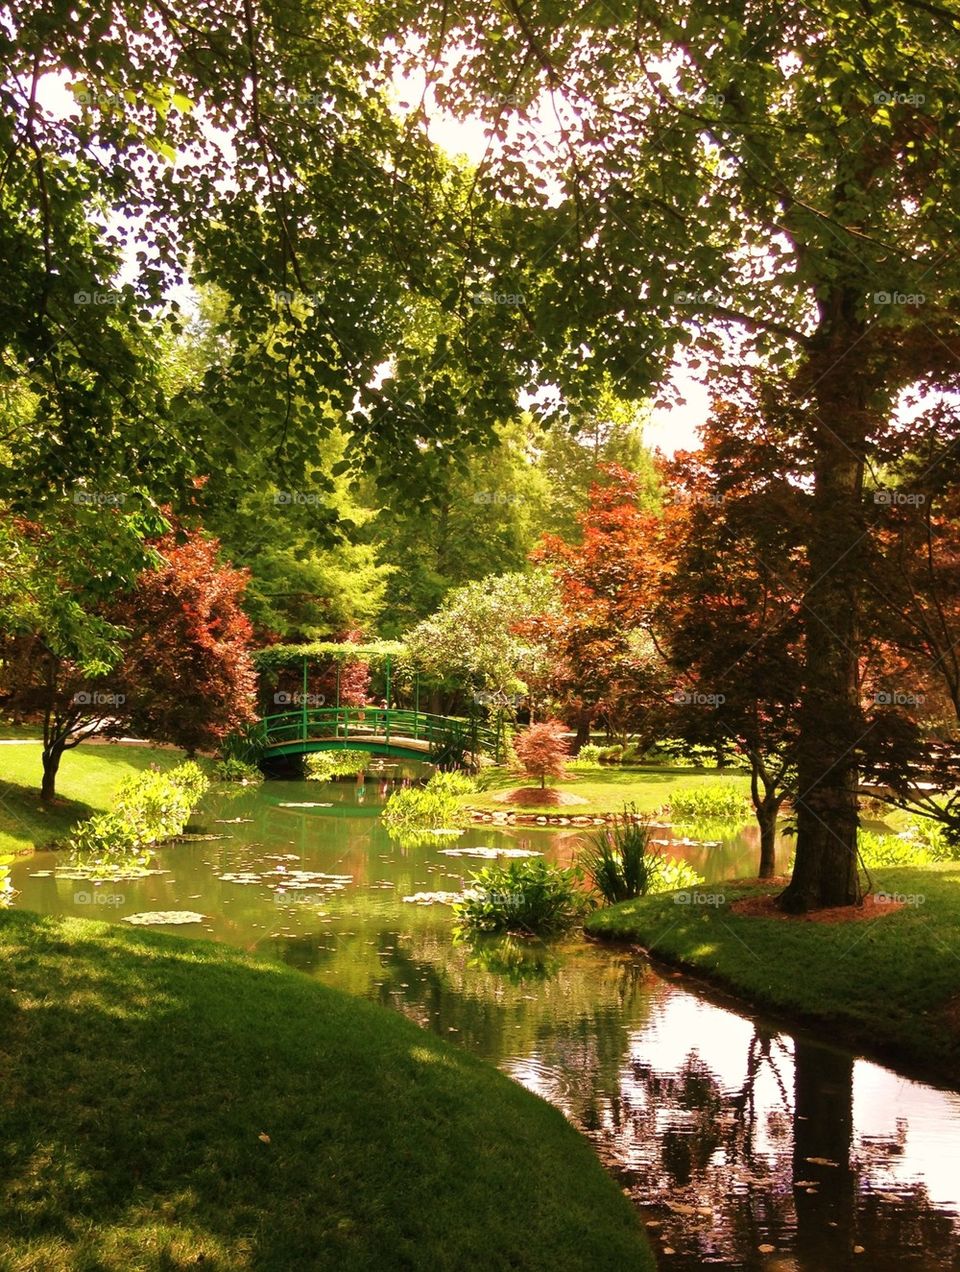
[[744, 1147]]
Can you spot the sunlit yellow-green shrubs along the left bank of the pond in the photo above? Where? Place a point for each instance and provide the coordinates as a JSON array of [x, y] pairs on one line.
[[149, 808]]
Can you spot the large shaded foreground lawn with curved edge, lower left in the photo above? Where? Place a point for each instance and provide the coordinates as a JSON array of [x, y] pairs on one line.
[[168, 1103]]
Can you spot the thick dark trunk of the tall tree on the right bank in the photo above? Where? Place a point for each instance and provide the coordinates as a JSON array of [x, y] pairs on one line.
[[826, 869]]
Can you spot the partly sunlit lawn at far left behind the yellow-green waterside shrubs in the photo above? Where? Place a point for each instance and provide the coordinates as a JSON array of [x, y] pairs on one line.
[[88, 778]]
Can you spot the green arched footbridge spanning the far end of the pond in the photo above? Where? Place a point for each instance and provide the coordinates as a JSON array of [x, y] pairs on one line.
[[385, 732]]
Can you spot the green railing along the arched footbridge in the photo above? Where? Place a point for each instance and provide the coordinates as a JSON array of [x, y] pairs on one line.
[[378, 724]]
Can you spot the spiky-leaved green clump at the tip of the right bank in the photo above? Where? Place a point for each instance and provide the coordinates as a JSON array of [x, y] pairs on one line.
[[622, 864]]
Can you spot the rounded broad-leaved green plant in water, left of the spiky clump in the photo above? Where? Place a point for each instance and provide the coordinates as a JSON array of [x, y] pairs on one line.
[[527, 896]]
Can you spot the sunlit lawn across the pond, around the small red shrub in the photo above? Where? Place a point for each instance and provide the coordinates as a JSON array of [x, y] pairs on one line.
[[607, 789]]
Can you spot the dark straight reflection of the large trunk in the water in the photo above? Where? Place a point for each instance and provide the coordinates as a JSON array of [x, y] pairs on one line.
[[823, 1128]]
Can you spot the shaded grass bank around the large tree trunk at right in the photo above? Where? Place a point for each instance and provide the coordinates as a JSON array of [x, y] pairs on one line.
[[891, 984]]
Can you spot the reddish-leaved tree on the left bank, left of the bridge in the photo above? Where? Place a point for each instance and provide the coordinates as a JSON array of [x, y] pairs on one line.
[[188, 674]]
